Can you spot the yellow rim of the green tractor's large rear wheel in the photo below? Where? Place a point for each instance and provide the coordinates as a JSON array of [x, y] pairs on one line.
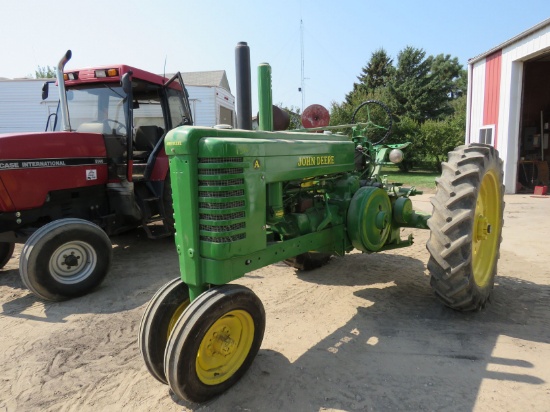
[[486, 230]]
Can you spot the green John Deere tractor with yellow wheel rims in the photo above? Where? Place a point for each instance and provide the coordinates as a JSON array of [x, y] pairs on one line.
[[246, 199]]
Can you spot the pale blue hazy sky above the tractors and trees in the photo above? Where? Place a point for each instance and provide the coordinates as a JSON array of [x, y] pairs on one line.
[[338, 37]]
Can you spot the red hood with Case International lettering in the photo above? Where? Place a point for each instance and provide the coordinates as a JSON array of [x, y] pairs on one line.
[[34, 165]]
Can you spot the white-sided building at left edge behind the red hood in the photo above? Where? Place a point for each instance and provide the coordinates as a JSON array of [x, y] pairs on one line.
[[22, 108]]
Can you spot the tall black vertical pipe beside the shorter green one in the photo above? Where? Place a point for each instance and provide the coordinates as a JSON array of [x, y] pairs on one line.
[[244, 88]]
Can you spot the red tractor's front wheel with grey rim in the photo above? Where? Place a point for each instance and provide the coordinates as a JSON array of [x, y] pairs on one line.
[[65, 258]]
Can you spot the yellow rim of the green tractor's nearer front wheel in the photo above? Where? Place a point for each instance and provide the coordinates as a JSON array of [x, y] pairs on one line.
[[225, 347]]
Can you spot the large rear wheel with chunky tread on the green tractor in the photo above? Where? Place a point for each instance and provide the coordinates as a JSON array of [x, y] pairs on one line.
[[466, 227]]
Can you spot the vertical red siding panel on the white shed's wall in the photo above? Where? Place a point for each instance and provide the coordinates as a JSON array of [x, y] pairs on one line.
[[492, 91]]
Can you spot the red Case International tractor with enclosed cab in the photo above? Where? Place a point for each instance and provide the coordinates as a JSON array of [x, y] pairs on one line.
[[101, 171]]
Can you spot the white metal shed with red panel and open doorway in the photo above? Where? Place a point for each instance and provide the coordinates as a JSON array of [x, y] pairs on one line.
[[509, 105]]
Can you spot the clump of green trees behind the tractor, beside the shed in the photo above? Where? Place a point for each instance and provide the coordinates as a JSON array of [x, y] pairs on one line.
[[426, 96]]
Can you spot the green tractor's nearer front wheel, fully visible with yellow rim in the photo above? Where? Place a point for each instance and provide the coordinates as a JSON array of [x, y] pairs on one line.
[[214, 342]]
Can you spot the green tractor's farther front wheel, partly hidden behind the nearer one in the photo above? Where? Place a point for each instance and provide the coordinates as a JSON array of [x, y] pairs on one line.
[[157, 323]]
